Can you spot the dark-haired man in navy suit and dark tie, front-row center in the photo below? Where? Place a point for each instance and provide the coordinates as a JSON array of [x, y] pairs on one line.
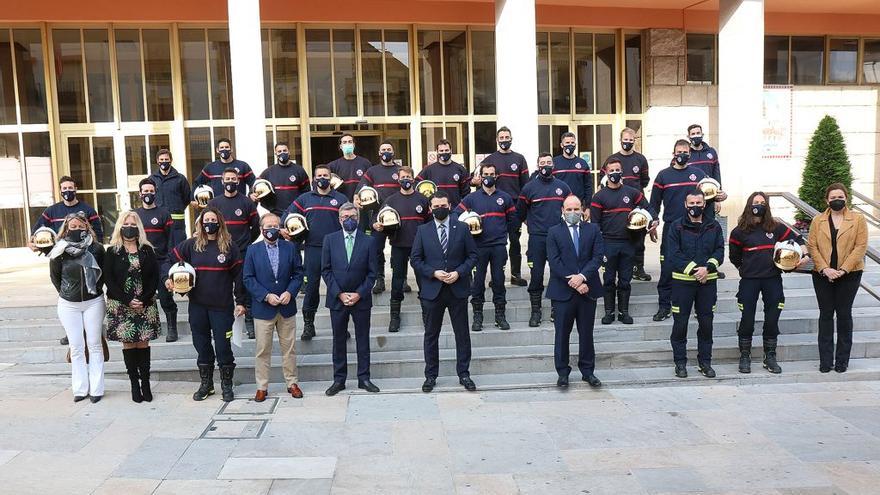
[[443, 255]]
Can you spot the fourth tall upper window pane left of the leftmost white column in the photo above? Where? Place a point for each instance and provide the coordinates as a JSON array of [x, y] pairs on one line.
[[129, 75]]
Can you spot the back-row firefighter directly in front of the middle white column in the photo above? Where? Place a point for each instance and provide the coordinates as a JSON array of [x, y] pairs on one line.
[[512, 173]]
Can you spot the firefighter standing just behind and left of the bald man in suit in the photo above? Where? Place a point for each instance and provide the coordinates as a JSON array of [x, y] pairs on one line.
[[538, 206]]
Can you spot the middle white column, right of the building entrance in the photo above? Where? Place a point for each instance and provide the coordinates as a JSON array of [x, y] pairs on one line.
[[515, 74]]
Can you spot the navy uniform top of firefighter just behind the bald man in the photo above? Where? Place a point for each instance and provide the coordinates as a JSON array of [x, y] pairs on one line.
[[540, 204]]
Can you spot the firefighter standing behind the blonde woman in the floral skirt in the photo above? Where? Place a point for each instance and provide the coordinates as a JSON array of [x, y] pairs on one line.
[[159, 228]]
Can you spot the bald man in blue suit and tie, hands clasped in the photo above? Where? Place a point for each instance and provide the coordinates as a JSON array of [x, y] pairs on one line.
[[574, 253]]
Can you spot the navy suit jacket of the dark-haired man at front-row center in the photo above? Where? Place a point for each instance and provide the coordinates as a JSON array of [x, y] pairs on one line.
[[427, 257]]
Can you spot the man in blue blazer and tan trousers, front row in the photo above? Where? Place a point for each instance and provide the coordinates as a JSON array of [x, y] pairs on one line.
[[273, 275]]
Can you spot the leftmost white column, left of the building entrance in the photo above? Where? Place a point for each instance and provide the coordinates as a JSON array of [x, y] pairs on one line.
[[245, 47]]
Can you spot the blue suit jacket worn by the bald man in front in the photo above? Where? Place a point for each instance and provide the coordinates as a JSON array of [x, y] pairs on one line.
[[563, 262]]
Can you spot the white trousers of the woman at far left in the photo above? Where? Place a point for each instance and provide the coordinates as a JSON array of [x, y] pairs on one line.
[[87, 378]]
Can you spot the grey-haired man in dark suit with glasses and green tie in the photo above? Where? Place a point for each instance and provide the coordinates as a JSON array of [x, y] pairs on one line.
[[348, 267]]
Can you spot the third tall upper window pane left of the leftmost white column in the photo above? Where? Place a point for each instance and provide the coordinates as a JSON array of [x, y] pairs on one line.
[[157, 66]]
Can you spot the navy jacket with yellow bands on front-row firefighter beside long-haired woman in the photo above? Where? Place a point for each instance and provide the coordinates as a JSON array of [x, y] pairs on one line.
[[692, 245]]
